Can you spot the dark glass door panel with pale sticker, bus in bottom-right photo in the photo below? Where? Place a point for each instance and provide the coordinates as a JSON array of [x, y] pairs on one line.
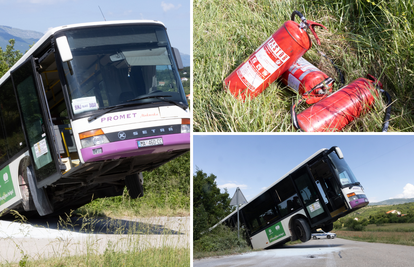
[[311, 198]]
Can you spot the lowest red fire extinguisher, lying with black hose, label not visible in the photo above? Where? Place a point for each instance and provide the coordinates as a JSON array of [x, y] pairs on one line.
[[340, 108]]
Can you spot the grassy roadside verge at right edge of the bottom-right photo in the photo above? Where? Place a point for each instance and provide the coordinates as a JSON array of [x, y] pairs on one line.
[[396, 233]]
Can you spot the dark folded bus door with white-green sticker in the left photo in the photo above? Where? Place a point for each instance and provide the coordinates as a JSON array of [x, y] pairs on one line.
[[37, 123]]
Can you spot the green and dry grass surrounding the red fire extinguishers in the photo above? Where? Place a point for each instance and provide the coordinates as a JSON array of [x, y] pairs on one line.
[[362, 38]]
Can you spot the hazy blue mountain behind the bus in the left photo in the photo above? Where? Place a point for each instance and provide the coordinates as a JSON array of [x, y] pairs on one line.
[[25, 38]]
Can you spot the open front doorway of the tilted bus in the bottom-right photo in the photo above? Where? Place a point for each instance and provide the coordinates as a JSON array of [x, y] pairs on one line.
[[327, 186]]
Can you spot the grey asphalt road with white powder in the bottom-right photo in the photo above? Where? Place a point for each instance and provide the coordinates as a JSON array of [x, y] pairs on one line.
[[334, 252]]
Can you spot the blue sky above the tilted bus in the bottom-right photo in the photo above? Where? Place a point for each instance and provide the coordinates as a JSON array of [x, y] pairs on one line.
[[383, 164]]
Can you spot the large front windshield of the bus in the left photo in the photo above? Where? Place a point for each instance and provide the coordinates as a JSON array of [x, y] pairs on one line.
[[116, 65]]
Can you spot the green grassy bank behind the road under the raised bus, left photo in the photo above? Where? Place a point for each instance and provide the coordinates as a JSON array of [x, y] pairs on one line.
[[166, 193]]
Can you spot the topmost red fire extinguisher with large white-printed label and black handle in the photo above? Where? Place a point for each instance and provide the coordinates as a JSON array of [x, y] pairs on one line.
[[272, 58]]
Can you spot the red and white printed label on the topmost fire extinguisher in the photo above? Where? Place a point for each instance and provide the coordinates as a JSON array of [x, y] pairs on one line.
[[262, 64]]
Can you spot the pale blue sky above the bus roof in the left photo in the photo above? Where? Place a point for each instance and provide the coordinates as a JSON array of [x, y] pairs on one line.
[[40, 15]]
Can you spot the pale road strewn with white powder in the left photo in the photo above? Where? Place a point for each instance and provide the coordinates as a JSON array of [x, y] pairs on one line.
[[54, 237]]
